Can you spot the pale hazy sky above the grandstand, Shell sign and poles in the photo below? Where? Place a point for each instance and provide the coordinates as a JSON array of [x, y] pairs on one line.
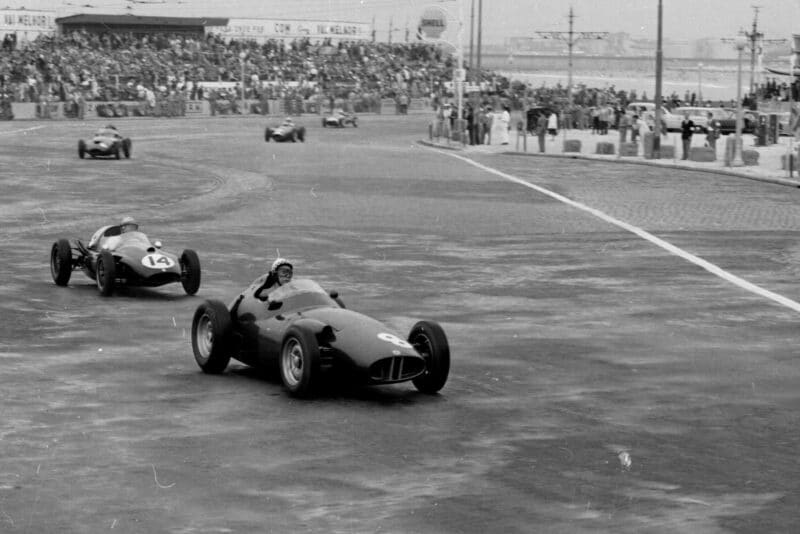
[[683, 19]]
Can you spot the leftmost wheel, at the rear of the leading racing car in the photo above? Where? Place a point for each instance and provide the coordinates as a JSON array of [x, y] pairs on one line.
[[211, 328]]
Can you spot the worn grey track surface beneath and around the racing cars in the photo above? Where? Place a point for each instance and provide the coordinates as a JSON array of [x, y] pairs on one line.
[[599, 382]]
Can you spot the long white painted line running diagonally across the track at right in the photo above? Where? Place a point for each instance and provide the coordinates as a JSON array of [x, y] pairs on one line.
[[669, 247]]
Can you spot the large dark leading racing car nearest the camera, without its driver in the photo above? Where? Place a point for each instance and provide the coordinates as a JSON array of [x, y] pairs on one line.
[[307, 335]]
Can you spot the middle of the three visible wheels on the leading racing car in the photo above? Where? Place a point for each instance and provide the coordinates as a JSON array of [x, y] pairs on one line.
[[299, 362]]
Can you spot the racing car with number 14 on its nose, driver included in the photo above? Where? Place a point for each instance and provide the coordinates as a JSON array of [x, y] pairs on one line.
[[113, 258]]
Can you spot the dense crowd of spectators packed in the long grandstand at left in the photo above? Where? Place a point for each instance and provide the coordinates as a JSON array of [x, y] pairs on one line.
[[124, 67]]
